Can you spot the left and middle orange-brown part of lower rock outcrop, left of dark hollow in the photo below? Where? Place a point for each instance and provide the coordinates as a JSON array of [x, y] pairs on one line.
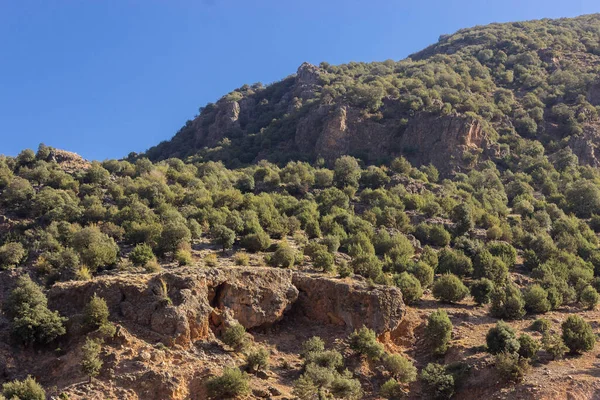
[[176, 307]]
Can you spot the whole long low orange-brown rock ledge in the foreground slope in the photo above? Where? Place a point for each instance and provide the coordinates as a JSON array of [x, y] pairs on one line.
[[187, 305]]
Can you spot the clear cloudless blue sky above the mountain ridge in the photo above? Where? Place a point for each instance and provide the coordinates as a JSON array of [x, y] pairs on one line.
[[104, 78]]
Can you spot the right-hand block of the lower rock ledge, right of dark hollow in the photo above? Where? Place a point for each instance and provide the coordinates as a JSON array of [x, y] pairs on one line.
[[351, 304]]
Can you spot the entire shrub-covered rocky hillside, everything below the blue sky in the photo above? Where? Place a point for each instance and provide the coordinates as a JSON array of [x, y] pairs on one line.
[[422, 229]]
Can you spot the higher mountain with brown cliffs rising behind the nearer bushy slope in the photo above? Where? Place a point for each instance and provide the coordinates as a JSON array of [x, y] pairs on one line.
[[460, 100]]
